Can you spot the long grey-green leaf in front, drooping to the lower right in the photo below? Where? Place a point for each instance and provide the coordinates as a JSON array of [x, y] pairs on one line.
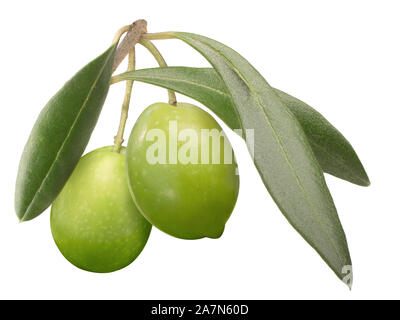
[[282, 154]]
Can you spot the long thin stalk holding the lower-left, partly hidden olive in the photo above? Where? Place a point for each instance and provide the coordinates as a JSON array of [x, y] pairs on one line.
[[119, 138]]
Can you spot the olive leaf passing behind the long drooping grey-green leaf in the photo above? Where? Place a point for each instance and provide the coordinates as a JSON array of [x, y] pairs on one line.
[[334, 153]]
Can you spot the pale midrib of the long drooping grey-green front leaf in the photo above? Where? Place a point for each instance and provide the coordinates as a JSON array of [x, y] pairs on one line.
[[279, 143]]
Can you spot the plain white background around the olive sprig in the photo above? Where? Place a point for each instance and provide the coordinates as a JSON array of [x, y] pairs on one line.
[[341, 57]]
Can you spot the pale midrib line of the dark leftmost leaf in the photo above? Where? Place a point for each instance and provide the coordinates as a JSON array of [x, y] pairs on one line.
[[67, 136]]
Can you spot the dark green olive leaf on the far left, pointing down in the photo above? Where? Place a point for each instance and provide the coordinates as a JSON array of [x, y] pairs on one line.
[[60, 136]]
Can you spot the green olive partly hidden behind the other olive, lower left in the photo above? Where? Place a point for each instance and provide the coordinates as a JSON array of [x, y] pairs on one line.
[[94, 221]]
